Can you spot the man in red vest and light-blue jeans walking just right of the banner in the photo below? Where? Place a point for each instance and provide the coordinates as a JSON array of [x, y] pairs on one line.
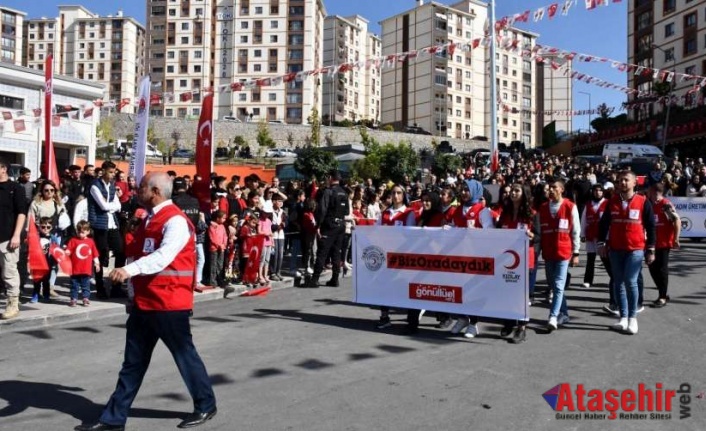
[[559, 224]]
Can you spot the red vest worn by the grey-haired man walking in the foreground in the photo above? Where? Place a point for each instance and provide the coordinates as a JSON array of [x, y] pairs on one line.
[[172, 288]]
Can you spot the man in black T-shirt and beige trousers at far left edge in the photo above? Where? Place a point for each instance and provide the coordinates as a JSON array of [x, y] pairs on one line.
[[13, 214]]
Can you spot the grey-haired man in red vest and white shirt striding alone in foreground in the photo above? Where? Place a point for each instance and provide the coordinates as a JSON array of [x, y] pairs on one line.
[[162, 275]]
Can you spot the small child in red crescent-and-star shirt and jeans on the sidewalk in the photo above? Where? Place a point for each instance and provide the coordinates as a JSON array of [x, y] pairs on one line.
[[84, 258]]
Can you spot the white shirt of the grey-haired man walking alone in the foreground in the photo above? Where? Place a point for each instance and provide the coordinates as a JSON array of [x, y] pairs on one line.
[[175, 236]]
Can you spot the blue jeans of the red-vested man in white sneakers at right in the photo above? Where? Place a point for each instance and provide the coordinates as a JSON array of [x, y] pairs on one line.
[[627, 266]]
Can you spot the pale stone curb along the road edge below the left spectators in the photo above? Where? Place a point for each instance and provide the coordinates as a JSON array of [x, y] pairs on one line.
[[100, 310]]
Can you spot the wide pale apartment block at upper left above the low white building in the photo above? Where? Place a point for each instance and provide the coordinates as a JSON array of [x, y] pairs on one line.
[[105, 49]]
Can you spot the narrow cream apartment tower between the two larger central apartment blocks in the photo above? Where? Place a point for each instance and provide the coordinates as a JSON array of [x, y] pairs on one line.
[[353, 95]]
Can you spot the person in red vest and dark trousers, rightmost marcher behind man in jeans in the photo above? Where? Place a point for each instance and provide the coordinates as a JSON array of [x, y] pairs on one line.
[[668, 228]]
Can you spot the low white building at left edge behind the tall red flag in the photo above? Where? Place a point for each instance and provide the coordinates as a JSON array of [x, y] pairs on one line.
[[22, 136]]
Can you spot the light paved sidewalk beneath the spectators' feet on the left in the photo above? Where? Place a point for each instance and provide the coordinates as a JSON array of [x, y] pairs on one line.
[[42, 315]]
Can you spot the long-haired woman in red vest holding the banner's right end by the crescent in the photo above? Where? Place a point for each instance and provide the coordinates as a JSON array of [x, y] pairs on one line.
[[517, 213]]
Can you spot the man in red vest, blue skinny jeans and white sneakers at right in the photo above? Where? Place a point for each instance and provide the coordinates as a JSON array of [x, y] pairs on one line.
[[628, 225]]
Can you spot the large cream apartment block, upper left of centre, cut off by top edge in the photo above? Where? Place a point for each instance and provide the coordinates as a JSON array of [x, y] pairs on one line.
[[197, 44]]
